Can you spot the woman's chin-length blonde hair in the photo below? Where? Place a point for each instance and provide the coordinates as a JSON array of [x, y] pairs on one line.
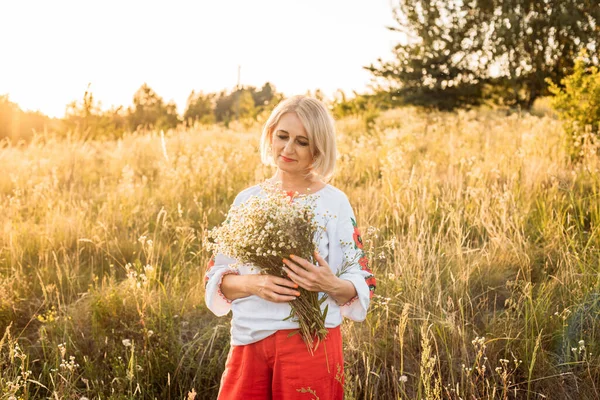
[[319, 126]]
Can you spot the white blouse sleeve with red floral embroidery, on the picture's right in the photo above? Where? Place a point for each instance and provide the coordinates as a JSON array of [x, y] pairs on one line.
[[355, 265]]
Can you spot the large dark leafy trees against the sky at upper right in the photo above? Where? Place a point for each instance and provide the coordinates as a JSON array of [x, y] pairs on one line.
[[456, 50]]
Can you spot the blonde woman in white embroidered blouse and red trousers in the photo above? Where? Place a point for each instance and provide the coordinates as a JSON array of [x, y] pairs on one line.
[[265, 360]]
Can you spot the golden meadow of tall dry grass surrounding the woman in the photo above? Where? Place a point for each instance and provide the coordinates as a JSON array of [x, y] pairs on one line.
[[484, 237]]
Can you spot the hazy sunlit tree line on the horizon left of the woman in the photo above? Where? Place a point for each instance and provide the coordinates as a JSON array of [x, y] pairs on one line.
[[149, 111]]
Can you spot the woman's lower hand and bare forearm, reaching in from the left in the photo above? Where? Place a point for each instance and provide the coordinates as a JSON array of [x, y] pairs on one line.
[[268, 287]]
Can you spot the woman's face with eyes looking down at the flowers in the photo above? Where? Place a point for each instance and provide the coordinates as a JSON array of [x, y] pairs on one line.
[[291, 151]]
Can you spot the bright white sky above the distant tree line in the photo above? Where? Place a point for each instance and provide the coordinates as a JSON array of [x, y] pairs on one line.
[[51, 50]]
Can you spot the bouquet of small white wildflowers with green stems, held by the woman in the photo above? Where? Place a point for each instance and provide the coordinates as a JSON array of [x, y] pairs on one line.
[[264, 230]]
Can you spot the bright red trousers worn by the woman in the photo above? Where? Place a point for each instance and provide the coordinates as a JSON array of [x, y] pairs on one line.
[[281, 368]]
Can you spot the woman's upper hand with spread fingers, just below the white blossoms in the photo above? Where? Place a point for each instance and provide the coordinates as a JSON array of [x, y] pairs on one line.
[[310, 276]]
